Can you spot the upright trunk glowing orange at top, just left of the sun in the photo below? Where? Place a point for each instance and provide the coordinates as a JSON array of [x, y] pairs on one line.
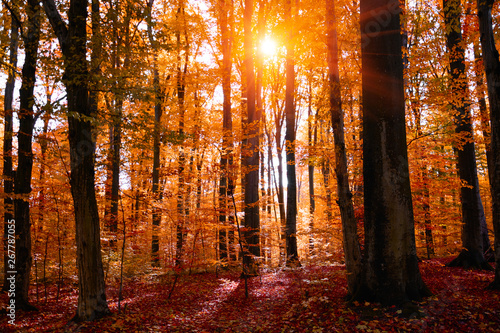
[[250, 155]]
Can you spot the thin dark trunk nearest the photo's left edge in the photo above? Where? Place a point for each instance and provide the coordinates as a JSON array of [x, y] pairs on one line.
[[8, 184]]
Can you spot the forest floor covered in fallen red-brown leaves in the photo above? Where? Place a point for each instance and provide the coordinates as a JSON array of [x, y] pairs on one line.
[[308, 299]]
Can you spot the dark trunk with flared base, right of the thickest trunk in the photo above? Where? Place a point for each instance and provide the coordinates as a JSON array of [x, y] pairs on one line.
[[472, 255]]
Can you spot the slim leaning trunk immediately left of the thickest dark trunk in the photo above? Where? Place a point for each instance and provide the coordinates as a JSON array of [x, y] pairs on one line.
[[352, 250]]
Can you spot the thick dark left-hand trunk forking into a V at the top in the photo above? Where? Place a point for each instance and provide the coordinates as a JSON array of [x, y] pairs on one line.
[[72, 38]]
